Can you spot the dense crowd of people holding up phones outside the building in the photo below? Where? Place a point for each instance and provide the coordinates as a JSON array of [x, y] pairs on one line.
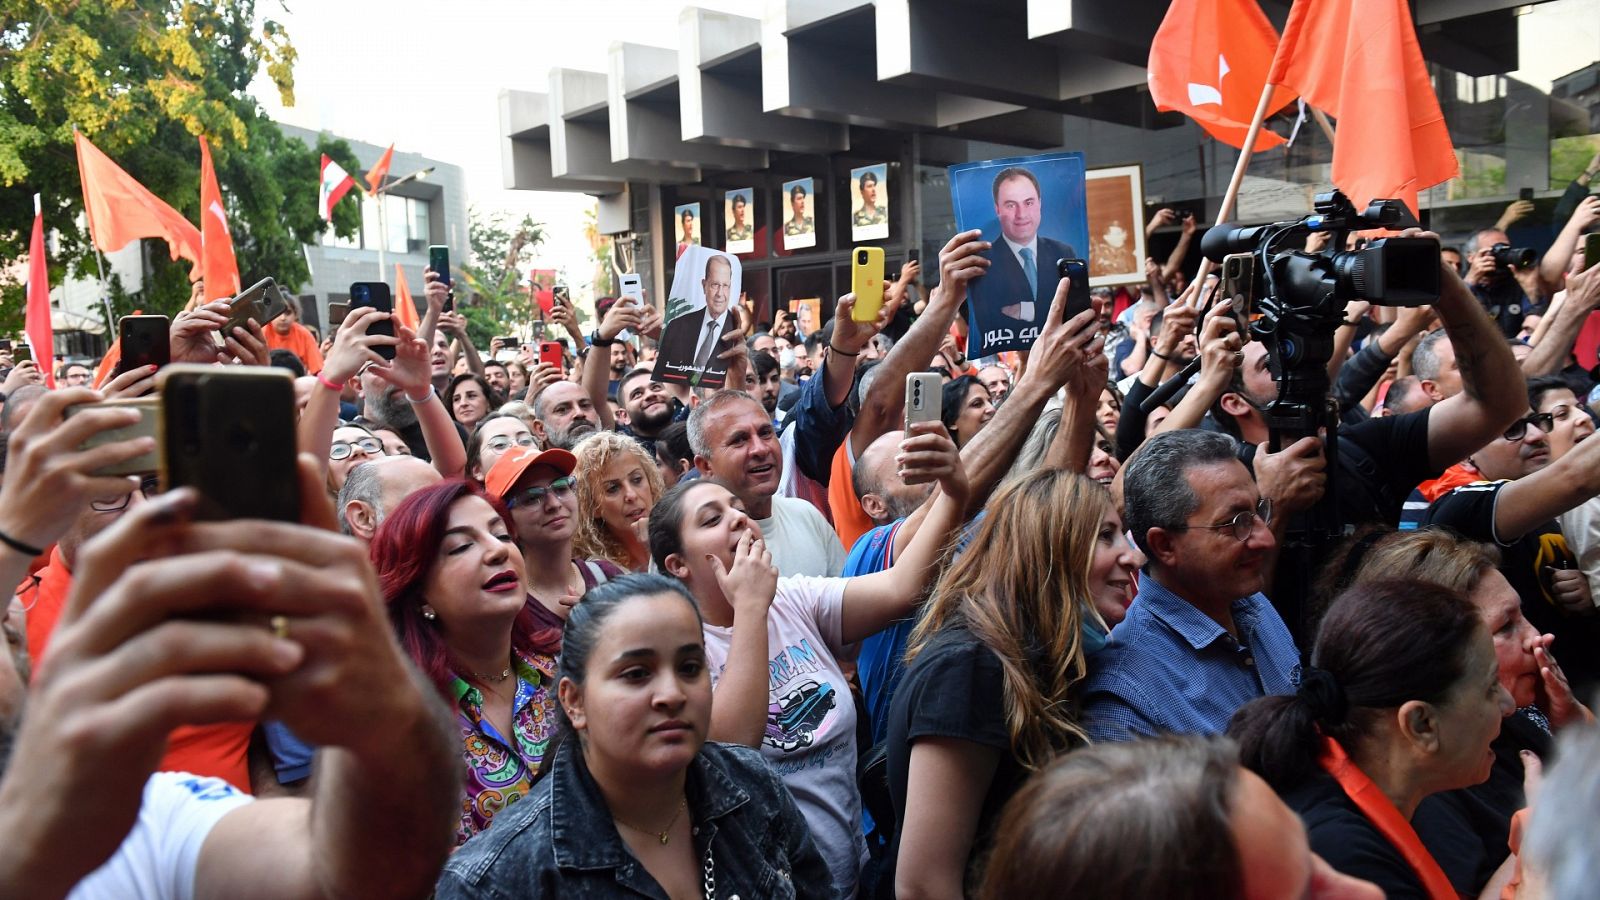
[[575, 632]]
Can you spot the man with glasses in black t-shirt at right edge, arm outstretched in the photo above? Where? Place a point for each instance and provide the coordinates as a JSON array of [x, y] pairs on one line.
[[1516, 504]]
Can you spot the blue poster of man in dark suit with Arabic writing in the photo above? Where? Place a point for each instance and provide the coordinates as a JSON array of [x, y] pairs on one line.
[[1033, 212]]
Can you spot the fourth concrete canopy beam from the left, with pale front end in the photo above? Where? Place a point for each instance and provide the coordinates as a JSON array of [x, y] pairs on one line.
[[721, 90]]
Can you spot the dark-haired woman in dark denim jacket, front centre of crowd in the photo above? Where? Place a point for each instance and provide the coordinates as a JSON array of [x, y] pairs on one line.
[[638, 802]]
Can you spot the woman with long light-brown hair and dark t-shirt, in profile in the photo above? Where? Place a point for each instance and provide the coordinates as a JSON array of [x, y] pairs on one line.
[[993, 669]]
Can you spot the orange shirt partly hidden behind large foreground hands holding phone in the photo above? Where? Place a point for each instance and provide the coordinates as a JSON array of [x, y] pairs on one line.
[[218, 750]]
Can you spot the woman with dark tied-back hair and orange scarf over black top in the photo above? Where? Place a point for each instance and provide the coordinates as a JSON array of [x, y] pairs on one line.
[[1401, 702]]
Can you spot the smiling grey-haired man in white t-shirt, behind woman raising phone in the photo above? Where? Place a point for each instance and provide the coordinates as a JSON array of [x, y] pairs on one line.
[[737, 444]]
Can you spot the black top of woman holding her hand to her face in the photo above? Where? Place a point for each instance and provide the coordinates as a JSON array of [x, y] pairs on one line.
[[1468, 830]]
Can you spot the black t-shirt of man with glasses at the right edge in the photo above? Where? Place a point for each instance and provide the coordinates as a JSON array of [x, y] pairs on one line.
[[1470, 512]]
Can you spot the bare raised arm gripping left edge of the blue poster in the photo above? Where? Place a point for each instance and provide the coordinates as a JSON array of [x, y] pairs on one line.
[[886, 403]]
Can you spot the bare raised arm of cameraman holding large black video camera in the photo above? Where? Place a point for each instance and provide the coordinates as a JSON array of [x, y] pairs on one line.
[[1494, 392]]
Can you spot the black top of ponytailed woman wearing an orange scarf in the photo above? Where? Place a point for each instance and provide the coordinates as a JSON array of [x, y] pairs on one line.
[[1342, 835]]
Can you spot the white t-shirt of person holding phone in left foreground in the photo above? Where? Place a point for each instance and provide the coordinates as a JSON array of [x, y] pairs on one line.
[[159, 856]]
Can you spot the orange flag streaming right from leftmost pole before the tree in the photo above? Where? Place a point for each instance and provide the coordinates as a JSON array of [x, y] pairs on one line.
[[119, 209]]
